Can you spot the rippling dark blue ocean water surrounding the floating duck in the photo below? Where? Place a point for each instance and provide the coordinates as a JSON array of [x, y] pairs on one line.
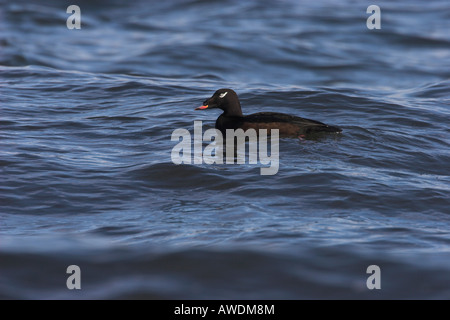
[[87, 179]]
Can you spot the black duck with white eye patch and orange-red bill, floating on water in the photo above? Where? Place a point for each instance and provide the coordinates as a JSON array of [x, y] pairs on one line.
[[232, 118]]
